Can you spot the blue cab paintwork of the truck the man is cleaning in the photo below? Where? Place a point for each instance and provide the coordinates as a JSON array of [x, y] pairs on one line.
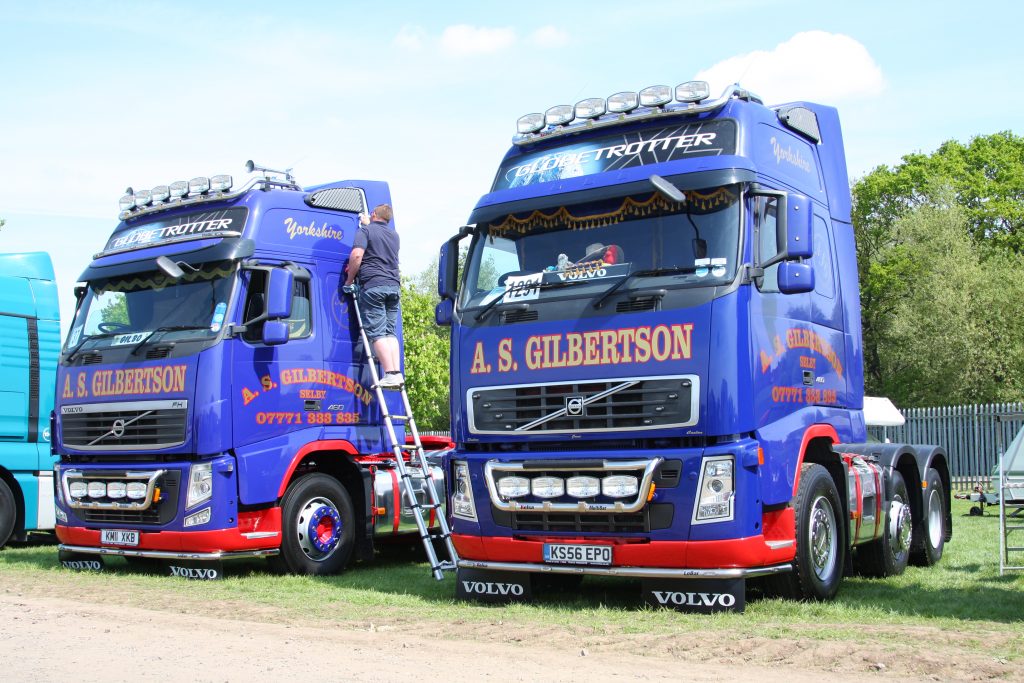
[[232, 385]]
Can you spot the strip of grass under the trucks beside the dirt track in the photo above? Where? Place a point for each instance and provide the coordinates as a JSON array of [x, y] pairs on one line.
[[962, 600]]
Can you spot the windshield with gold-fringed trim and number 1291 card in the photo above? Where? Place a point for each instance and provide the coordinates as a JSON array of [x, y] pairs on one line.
[[666, 244]]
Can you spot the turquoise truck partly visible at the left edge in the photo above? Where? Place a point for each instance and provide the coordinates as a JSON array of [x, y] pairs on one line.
[[30, 344]]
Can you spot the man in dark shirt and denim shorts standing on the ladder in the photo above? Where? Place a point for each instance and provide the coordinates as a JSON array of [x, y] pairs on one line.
[[375, 262]]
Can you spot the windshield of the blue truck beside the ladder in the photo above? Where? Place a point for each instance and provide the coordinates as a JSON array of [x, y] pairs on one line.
[[131, 309]]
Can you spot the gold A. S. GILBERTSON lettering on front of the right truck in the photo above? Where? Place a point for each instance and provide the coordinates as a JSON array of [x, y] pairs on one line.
[[599, 348]]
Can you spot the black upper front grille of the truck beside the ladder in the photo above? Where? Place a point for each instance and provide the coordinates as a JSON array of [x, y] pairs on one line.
[[141, 425]]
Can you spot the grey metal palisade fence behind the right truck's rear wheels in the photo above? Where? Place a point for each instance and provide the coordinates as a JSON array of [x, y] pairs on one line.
[[973, 436]]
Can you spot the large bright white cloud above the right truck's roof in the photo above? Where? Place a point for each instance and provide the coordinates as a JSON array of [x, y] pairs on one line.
[[814, 66]]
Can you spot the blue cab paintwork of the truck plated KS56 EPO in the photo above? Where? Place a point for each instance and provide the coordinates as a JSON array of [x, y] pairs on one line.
[[748, 346]]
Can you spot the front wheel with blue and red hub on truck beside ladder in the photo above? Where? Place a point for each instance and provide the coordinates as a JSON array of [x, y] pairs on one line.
[[318, 525]]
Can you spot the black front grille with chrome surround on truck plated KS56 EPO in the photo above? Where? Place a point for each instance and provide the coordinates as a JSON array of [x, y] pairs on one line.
[[596, 406]]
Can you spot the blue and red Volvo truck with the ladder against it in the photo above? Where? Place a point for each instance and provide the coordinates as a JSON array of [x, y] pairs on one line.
[[215, 401]]
